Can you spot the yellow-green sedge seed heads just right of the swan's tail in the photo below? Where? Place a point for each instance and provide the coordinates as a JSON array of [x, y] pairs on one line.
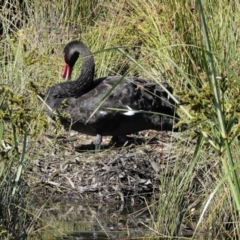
[[203, 111]]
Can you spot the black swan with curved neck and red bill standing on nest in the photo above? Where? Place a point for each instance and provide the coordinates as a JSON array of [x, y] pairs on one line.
[[141, 104]]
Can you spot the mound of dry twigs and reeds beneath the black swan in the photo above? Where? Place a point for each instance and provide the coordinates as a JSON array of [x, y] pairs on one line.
[[127, 171]]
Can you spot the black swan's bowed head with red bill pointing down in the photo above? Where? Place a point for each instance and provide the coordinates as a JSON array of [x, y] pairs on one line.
[[70, 54]]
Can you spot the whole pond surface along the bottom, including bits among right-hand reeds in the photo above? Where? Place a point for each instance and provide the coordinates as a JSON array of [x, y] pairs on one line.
[[100, 221]]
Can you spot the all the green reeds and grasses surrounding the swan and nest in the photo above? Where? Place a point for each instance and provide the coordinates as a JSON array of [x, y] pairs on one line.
[[193, 45]]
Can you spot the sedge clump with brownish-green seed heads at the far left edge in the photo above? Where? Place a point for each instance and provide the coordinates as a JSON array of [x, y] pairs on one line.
[[18, 122]]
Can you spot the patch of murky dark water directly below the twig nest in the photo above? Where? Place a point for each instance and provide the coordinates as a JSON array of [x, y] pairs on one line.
[[101, 221]]
